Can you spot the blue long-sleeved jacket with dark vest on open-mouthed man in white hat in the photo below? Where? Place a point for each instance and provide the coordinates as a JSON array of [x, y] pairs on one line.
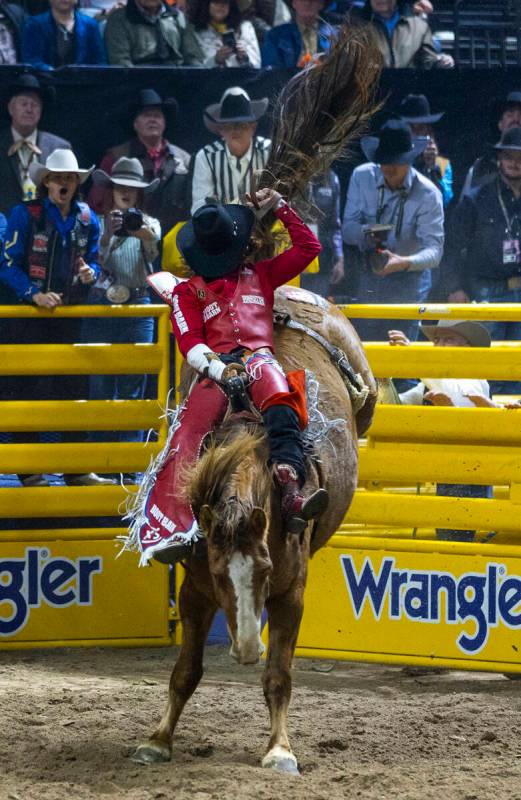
[[14, 266]]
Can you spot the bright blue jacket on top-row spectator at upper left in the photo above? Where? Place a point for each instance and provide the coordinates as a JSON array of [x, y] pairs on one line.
[[39, 41]]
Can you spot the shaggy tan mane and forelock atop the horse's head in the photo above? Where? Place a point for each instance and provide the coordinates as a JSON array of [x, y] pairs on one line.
[[232, 477]]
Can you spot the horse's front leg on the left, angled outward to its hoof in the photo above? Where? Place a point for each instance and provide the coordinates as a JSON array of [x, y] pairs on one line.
[[197, 613]]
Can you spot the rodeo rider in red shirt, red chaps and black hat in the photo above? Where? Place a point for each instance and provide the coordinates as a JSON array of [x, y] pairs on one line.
[[223, 322]]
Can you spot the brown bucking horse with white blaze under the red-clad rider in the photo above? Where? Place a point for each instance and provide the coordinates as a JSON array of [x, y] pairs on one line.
[[251, 563]]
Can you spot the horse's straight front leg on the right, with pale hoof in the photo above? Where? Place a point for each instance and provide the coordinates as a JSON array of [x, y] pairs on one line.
[[284, 615]]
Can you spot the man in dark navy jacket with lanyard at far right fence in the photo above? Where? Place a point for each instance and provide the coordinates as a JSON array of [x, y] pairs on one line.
[[483, 259]]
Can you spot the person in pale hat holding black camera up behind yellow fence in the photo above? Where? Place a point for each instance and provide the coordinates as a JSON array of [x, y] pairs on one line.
[[127, 254]]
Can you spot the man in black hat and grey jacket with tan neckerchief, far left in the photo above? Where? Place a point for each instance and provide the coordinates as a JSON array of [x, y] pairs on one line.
[[23, 142]]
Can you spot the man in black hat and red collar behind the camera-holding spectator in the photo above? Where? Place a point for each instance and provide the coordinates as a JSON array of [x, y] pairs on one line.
[[150, 117]]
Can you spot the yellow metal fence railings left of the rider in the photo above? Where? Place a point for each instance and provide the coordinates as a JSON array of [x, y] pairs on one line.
[[81, 359]]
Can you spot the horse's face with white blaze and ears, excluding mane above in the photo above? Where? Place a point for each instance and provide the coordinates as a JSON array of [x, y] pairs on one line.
[[240, 567]]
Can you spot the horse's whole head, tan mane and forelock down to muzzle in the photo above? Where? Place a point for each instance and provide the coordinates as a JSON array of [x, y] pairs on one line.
[[230, 493]]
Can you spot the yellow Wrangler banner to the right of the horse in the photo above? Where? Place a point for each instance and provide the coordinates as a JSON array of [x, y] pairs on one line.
[[459, 606]]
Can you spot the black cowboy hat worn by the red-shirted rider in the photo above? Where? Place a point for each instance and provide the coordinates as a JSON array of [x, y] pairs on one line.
[[214, 241]]
